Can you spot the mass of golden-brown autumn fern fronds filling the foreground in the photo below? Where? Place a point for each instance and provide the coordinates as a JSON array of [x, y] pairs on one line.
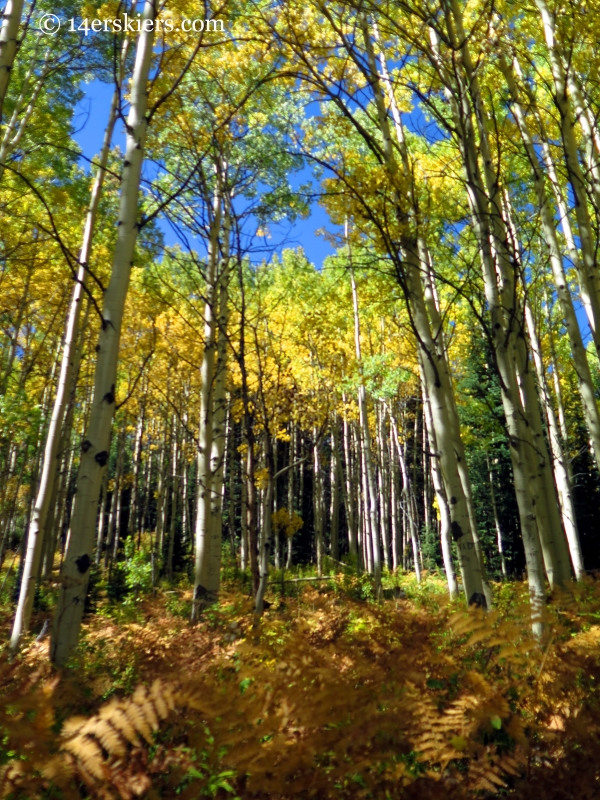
[[333, 704]]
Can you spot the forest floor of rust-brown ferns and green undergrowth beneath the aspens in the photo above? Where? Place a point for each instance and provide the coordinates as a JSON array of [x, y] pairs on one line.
[[331, 696]]
